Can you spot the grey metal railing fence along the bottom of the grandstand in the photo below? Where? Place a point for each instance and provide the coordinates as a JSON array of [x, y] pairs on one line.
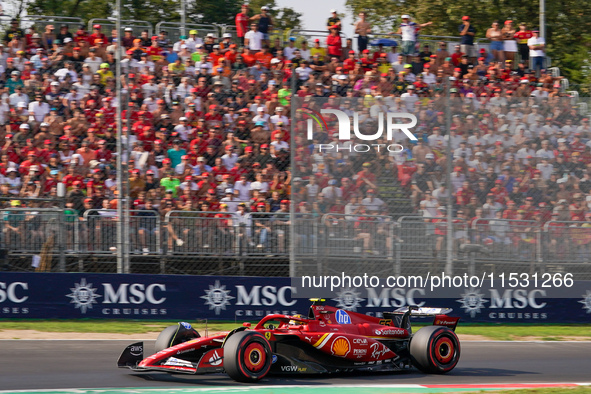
[[196, 242]]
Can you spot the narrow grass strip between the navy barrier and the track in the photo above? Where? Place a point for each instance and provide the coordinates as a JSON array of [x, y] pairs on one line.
[[507, 332]]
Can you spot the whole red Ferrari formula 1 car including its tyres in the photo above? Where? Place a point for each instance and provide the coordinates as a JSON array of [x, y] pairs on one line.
[[329, 340]]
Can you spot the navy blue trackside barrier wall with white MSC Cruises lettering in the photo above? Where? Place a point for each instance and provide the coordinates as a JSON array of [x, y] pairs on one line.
[[239, 298]]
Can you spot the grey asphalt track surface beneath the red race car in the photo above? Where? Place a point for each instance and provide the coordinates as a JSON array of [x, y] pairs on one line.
[[92, 364]]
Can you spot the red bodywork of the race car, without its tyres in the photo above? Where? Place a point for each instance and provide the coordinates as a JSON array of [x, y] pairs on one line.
[[351, 336]]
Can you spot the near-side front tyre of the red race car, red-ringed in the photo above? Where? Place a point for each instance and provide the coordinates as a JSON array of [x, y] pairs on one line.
[[247, 356]]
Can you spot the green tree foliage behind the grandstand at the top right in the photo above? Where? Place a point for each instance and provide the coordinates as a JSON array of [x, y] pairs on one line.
[[568, 23]]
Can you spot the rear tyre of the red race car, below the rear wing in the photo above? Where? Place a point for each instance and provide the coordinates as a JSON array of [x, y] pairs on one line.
[[435, 349]]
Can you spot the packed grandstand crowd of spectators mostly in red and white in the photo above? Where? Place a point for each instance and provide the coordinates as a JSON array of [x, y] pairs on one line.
[[218, 158]]
